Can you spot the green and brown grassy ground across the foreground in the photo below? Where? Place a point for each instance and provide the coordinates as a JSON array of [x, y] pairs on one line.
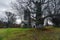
[[29, 34]]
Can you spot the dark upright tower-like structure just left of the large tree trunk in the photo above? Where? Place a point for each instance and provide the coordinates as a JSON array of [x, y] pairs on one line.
[[27, 18]]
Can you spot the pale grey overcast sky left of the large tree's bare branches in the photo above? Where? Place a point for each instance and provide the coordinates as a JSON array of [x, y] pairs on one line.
[[4, 5]]
